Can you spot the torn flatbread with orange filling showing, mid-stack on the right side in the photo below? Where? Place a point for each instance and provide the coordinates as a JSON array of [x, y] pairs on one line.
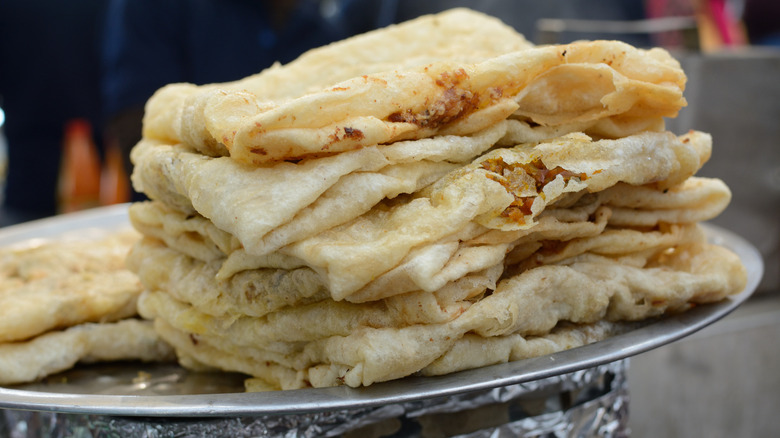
[[353, 254]]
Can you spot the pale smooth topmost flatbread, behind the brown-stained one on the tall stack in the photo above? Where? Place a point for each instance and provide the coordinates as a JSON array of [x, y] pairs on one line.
[[175, 113]]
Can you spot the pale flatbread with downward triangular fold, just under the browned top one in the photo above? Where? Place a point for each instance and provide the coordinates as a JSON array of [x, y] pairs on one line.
[[297, 200]]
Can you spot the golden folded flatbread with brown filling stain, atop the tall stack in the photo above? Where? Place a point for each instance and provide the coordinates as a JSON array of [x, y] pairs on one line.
[[552, 85]]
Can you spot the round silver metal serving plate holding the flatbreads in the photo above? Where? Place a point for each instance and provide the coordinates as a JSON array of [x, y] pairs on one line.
[[166, 390]]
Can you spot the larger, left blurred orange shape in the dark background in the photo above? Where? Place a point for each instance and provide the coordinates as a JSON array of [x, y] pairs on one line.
[[79, 182]]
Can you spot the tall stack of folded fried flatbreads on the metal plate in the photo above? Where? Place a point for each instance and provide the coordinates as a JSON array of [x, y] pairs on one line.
[[430, 197]]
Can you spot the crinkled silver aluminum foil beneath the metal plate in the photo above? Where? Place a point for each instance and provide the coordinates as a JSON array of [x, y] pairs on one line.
[[587, 403]]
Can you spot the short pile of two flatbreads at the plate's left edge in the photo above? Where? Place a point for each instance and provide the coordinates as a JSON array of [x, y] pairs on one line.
[[71, 300]]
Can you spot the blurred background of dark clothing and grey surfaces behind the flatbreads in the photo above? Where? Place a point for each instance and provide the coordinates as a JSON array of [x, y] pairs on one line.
[[74, 77]]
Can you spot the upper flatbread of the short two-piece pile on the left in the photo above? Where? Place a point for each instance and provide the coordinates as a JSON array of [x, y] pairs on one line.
[[59, 283]]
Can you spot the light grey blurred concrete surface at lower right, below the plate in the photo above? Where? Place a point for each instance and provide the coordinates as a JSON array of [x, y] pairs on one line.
[[723, 381]]
